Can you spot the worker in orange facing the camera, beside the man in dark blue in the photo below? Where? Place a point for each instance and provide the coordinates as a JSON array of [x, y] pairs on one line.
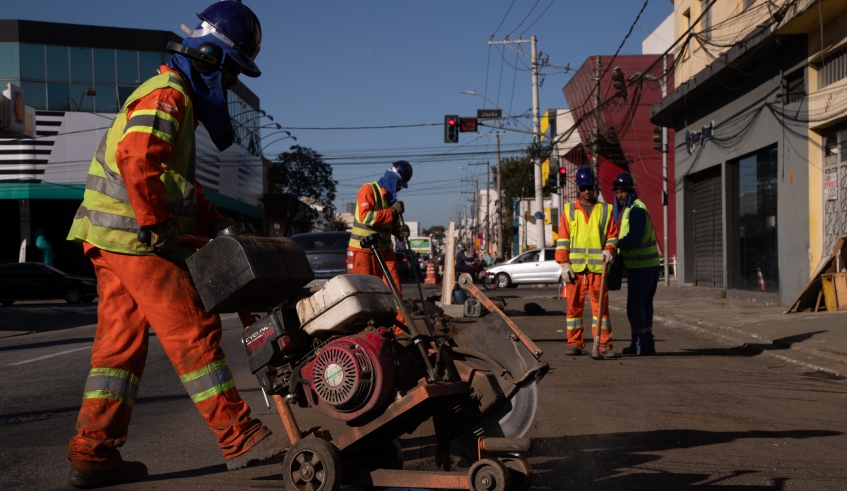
[[588, 236]]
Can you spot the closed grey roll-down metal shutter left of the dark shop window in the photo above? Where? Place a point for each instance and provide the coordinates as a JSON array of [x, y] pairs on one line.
[[708, 231]]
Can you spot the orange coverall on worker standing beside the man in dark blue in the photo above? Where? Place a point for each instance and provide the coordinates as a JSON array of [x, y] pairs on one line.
[[586, 283]]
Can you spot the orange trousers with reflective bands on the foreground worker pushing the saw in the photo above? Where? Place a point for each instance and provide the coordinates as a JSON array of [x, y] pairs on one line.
[[137, 291]]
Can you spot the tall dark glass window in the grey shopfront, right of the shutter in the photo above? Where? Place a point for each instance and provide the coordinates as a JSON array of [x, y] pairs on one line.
[[756, 251]]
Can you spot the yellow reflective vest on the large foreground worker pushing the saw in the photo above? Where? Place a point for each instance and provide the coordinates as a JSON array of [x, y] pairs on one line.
[[106, 219]]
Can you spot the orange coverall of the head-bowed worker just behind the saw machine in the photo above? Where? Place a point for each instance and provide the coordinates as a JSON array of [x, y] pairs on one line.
[[362, 261]]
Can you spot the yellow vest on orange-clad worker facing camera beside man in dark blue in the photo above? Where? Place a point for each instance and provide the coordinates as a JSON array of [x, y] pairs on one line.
[[587, 240]]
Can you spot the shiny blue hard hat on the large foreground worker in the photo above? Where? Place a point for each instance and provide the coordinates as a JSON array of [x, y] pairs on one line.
[[228, 29]]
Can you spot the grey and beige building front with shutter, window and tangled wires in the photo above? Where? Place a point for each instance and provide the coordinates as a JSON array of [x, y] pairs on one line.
[[758, 114]]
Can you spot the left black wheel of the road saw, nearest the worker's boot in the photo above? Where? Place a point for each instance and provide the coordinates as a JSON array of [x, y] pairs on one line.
[[312, 464]]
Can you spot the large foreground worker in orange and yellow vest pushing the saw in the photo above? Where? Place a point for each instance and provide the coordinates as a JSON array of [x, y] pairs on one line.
[[141, 183]]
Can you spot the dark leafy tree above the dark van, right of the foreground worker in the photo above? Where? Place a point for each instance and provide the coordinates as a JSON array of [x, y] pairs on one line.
[[303, 173]]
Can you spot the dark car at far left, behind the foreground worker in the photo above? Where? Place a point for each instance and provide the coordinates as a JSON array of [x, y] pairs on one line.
[[39, 281]]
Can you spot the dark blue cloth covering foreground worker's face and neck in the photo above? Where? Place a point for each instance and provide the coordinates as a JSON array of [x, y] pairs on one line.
[[210, 107]]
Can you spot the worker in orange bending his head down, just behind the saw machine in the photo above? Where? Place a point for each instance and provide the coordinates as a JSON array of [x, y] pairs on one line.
[[378, 211]]
